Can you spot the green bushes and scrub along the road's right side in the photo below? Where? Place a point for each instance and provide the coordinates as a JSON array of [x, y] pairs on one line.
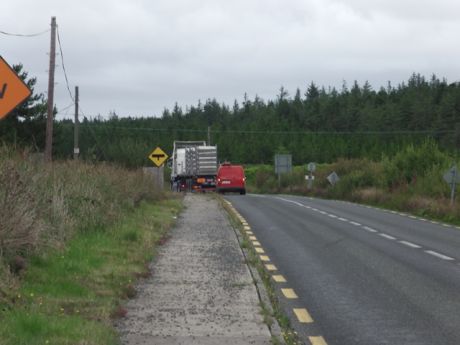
[[410, 181]]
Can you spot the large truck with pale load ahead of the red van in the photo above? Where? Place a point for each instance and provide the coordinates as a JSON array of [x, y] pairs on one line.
[[193, 166]]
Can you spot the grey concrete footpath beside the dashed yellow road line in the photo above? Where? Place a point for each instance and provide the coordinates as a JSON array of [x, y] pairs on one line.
[[201, 291]]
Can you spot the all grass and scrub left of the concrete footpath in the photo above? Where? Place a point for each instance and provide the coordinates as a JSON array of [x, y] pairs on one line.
[[74, 238]]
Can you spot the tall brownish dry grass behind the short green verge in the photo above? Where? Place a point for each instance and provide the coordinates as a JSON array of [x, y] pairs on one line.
[[45, 205]]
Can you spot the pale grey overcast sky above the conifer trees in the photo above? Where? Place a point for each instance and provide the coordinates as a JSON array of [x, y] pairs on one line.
[[137, 57]]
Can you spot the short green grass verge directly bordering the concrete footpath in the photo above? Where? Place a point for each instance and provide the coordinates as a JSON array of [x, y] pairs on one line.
[[72, 296]]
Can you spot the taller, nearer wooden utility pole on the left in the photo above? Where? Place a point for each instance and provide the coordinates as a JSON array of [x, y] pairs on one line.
[[49, 120]]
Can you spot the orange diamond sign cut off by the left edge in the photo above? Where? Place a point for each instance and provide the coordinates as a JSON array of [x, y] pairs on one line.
[[13, 91]]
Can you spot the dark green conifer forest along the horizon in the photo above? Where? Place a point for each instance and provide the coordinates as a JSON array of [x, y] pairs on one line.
[[316, 124]]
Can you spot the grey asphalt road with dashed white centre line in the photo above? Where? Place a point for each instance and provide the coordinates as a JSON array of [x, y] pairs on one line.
[[364, 276]]
